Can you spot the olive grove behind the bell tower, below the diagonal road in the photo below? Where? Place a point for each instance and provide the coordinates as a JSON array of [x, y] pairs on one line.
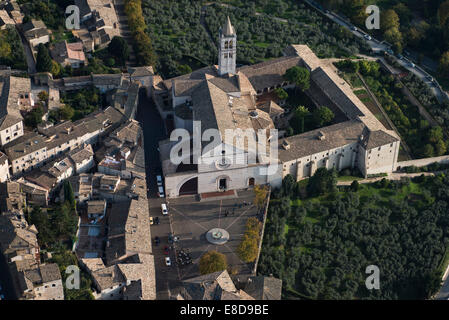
[[181, 33]]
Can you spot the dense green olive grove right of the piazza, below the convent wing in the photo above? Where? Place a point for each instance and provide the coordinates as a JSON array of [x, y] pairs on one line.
[[320, 249]]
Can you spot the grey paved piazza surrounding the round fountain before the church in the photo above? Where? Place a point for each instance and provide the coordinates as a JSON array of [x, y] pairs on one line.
[[192, 220]]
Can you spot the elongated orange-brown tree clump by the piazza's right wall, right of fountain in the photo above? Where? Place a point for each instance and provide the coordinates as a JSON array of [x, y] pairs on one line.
[[249, 247]]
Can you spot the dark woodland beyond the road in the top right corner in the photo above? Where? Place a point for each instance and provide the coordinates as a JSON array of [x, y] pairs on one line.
[[421, 25]]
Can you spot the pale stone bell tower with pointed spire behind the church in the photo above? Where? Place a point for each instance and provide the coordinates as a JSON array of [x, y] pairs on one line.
[[227, 53]]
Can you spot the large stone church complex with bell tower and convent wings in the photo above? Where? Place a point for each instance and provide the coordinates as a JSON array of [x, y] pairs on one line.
[[224, 98]]
